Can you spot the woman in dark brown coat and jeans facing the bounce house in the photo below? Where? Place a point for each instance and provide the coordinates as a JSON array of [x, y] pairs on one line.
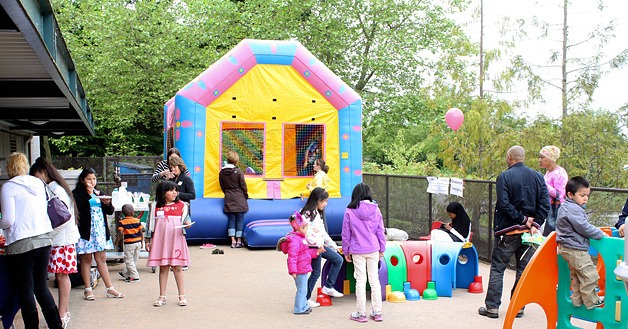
[[234, 187]]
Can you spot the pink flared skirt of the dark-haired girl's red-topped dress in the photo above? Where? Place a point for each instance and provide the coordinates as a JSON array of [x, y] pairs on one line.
[[168, 245]]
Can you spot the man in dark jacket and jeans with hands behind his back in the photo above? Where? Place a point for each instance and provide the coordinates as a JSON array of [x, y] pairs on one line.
[[522, 205]]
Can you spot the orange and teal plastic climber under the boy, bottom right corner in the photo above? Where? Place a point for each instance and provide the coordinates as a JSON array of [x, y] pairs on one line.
[[549, 274]]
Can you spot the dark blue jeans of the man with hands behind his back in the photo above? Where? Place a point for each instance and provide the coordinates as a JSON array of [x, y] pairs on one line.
[[504, 246]]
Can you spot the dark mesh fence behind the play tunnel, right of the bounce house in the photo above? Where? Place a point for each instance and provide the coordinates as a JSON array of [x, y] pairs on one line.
[[406, 205]]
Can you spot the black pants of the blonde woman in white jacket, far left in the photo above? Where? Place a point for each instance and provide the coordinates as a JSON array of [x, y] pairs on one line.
[[29, 275]]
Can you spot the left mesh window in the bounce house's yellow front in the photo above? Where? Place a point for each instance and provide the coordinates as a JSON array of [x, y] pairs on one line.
[[246, 139]]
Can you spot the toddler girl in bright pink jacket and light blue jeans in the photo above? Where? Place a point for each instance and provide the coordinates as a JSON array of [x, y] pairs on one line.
[[299, 261]]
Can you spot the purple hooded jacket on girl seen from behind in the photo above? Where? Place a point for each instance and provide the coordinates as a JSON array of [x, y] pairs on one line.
[[363, 230]]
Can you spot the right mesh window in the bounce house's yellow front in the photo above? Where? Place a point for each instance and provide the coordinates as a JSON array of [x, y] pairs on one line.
[[303, 144]]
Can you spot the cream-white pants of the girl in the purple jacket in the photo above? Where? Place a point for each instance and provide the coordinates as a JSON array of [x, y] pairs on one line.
[[367, 264]]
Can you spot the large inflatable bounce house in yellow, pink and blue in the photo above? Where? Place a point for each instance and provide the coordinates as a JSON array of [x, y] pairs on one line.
[[280, 109]]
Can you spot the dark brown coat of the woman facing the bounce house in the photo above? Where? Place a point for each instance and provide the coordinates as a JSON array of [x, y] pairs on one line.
[[234, 187]]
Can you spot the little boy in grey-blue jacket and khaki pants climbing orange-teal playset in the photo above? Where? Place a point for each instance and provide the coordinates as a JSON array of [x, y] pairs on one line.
[[573, 232]]
